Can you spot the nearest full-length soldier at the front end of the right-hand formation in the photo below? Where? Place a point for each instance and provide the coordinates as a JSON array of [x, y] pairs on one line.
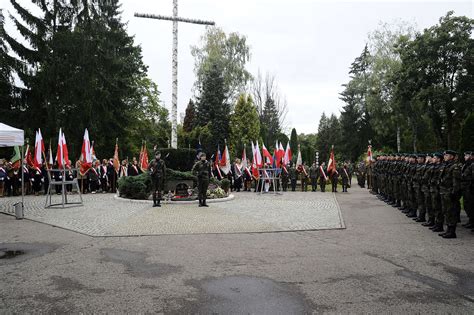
[[449, 187]]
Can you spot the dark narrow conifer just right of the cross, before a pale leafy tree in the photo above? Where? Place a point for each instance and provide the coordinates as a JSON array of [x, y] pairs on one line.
[[212, 110]]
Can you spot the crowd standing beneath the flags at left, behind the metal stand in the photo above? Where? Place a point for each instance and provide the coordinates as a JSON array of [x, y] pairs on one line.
[[101, 178]]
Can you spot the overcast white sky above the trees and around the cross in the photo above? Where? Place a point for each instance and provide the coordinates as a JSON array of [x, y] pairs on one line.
[[307, 45]]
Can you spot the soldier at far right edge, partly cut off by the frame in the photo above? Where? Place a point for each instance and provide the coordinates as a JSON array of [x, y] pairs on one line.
[[467, 177]]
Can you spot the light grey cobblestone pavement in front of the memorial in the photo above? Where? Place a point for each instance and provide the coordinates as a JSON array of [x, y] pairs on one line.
[[102, 215]]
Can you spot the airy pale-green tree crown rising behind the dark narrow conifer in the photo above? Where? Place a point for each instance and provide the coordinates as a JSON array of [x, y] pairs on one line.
[[229, 53]]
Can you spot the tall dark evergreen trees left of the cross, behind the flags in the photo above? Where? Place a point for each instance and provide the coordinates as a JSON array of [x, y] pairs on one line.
[[80, 69]]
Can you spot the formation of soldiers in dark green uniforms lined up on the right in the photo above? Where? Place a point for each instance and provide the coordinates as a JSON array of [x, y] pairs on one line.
[[426, 187]]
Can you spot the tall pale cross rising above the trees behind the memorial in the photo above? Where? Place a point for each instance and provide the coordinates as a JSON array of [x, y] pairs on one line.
[[174, 97]]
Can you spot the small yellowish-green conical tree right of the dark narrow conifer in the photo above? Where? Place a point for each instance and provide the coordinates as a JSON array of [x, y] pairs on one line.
[[244, 124]]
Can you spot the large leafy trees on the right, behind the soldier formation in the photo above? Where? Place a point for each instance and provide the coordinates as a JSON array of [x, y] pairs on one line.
[[419, 84]]
